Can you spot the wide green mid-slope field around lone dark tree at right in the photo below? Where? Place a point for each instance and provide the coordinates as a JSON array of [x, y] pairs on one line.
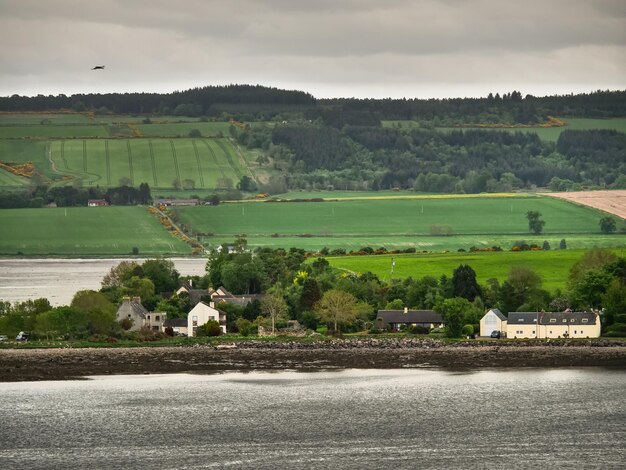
[[399, 223]]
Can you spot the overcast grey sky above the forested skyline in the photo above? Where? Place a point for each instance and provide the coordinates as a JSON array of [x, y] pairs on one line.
[[329, 48]]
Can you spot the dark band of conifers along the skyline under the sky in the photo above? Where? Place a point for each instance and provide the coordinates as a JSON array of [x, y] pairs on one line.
[[258, 102]]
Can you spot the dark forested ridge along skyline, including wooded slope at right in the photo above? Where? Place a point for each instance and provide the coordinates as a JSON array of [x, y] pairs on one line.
[[362, 144]]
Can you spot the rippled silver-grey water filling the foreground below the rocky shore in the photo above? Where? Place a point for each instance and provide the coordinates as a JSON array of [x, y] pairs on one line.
[[356, 419]]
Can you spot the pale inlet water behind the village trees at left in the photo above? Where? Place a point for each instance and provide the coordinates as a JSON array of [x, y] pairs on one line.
[[59, 279]]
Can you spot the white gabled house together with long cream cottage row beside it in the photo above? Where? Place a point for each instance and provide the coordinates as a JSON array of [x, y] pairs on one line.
[[566, 324]]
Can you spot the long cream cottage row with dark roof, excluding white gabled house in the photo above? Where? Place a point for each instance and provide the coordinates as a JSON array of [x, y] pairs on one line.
[[566, 324]]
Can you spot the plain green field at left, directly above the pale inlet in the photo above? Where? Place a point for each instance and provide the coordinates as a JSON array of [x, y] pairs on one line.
[[86, 231]]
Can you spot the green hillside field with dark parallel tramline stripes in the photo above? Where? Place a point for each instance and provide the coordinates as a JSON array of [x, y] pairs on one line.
[[157, 162]]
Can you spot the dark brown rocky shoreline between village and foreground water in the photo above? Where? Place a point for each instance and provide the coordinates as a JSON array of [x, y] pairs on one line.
[[21, 364]]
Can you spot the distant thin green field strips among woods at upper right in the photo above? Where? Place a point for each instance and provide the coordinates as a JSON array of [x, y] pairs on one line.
[[550, 134]]
